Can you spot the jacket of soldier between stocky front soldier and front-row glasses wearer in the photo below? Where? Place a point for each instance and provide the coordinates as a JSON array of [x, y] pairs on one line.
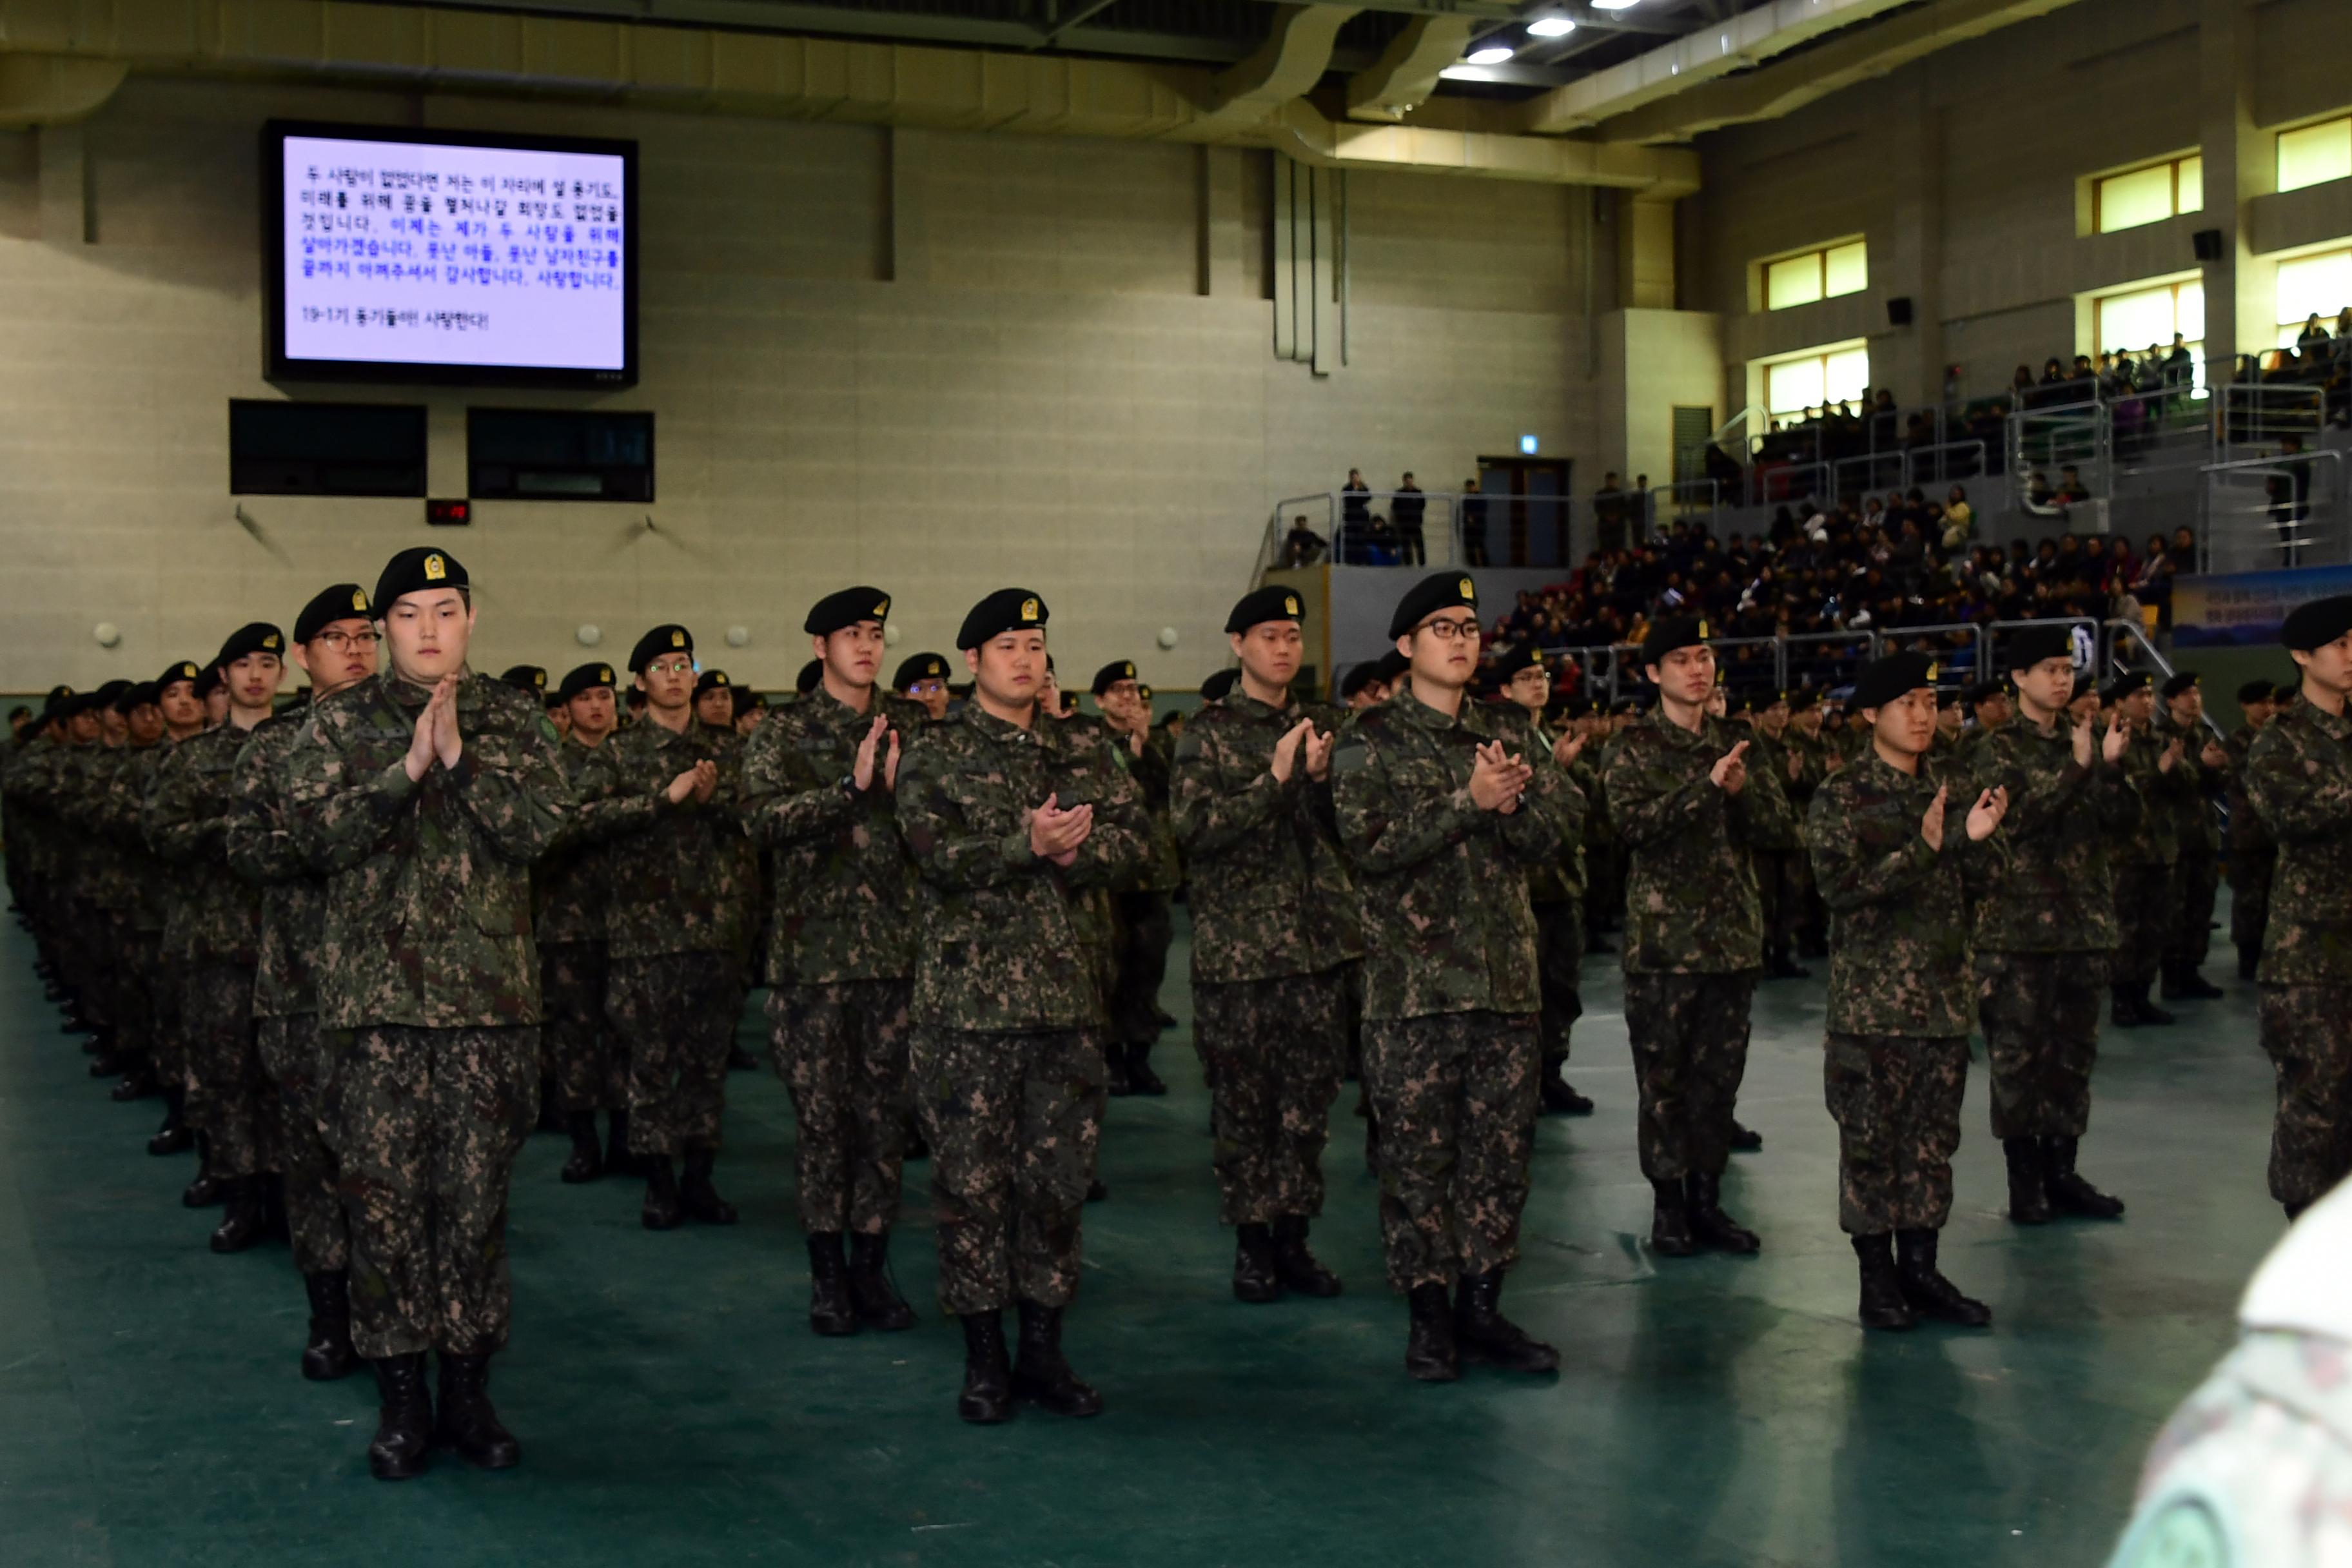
[[1267, 880]]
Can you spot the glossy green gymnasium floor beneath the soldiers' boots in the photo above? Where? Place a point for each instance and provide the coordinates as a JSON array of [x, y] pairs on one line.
[[676, 1409]]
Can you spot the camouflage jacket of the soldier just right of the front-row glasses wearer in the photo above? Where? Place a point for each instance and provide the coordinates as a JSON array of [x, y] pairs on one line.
[[1690, 890]]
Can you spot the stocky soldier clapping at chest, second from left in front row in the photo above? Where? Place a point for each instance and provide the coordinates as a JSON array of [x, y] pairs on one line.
[[1008, 829]]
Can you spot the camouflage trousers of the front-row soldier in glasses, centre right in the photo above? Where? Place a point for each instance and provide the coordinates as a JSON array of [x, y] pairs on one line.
[[1457, 1104]]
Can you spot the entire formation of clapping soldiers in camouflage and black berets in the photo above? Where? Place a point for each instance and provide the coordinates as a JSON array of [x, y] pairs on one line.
[[363, 944]]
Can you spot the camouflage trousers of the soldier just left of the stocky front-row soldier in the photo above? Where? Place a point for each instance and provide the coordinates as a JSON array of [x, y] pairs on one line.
[[841, 1052]]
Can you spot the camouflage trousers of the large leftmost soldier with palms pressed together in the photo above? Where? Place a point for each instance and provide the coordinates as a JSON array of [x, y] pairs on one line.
[[425, 1127]]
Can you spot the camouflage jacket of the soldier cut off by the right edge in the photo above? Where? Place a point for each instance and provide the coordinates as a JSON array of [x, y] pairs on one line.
[[2301, 782]]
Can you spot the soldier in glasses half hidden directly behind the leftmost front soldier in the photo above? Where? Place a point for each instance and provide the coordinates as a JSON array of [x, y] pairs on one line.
[[335, 643]]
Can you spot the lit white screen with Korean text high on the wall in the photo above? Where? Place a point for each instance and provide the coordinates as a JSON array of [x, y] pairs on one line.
[[413, 253]]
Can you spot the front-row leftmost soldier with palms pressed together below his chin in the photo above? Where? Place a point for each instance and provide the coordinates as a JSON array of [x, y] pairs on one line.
[[425, 796]]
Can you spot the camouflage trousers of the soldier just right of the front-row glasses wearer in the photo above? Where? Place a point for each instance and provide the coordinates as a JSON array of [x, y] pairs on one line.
[[1690, 1054]]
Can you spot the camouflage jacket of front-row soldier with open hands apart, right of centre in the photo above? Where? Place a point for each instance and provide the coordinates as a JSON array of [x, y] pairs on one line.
[[1899, 911]]
